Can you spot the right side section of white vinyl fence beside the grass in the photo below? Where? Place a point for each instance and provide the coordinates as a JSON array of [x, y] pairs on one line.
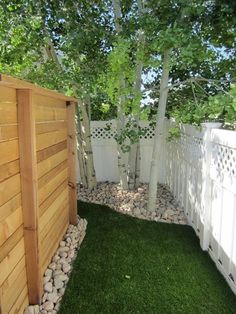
[[200, 170]]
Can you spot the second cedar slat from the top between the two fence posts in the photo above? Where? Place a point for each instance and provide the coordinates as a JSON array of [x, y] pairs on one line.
[[49, 114]]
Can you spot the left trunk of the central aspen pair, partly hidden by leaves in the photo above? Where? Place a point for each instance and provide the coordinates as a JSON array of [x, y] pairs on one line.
[[122, 160]]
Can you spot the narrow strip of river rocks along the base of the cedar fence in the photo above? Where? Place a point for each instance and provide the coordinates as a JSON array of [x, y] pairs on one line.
[[57, 274]]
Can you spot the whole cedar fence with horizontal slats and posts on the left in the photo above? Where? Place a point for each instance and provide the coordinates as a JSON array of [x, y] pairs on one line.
[[37, 186]]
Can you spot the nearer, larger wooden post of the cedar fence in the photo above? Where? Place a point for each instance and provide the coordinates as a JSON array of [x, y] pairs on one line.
[[28, 168]]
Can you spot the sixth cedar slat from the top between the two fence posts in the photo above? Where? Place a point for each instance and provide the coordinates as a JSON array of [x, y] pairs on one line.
[[48, 164]]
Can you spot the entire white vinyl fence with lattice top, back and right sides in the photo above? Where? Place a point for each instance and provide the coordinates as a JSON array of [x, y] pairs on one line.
[[200, 170]]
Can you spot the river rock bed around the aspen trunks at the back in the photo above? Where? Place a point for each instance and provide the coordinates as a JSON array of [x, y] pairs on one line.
[[134, 203]]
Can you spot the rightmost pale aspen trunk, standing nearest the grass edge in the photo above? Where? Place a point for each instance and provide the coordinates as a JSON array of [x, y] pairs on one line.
[[159, 131]]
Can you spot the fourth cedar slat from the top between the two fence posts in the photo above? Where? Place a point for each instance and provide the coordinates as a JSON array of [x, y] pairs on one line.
[[48, 139]]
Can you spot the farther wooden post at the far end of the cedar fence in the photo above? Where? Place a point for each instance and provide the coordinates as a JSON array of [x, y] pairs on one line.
[[71, 143]]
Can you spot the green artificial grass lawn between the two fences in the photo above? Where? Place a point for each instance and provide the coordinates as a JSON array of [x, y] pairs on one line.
[[126, 265]]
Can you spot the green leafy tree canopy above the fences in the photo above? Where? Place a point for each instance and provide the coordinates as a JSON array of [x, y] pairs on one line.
[[90, 55]]
